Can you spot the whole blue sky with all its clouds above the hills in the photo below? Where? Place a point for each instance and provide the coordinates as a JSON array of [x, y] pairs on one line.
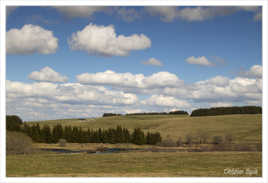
[[73, 62]]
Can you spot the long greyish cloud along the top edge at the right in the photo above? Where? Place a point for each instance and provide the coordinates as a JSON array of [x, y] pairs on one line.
[[195, 13]]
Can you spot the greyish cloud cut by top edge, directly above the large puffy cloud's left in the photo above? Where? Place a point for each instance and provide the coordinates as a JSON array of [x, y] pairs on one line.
[[79, 11]]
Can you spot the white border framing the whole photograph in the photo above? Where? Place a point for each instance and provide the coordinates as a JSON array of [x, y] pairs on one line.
[[263, 3]]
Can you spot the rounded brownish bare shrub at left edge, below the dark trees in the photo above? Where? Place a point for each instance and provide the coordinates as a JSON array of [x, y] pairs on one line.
[[18, 143]]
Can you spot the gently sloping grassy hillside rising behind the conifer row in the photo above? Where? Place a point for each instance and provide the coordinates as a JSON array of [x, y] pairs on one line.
[[244, 128]]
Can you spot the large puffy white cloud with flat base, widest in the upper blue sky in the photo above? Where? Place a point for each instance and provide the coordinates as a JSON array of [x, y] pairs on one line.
[[102, 40]]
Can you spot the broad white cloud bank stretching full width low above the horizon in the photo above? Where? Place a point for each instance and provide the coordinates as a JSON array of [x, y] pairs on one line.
[[118, 92]]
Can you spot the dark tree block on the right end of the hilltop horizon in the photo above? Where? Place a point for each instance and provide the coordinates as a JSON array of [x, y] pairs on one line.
[[227, 110]]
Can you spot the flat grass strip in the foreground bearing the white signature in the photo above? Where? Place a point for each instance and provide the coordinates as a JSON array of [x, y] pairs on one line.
[[145, 164]]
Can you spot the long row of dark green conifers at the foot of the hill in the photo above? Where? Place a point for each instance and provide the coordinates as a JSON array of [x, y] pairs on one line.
[[74, 134]]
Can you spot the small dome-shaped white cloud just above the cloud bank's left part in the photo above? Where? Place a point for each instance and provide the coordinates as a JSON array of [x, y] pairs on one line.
[[47, 75]]
